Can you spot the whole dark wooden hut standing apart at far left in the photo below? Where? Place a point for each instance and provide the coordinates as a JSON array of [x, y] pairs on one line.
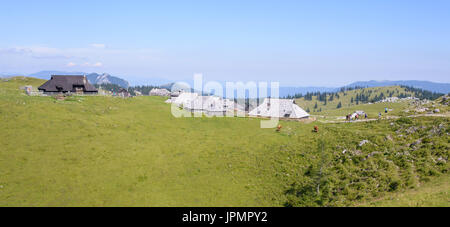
[[68, 85]]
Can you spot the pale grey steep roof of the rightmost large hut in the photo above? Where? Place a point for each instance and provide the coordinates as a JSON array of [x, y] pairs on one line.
[[279, 108]]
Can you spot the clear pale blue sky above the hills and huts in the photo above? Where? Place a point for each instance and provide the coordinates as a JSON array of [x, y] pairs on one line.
[[298, 43]]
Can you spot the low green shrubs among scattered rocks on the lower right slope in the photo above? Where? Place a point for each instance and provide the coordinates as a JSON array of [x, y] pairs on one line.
[[350, 176]]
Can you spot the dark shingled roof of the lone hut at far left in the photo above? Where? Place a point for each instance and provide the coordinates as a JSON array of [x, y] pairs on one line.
[[66, 84]]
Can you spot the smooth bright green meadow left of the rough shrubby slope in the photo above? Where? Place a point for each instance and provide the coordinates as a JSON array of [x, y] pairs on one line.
[[107, 151]]
